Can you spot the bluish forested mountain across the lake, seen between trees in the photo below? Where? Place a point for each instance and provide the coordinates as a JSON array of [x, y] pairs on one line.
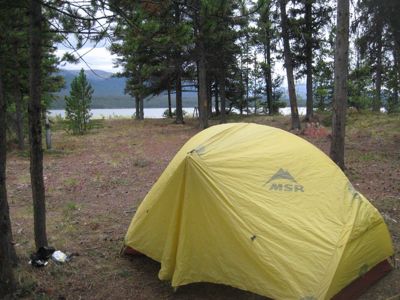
[[109, 92]]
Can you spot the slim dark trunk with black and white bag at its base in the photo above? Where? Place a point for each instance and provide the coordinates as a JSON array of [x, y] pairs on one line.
[[35, 126]]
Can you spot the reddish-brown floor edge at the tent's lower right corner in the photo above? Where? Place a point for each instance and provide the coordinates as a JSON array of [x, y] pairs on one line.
[[355, 289]]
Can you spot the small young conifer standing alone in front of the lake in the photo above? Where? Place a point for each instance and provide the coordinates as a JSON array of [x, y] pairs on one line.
[[77, 105]]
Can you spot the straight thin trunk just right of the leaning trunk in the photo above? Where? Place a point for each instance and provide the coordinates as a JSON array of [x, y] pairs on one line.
[[309, 59]]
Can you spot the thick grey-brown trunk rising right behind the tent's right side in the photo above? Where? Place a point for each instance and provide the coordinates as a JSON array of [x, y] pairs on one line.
[[340, 89]]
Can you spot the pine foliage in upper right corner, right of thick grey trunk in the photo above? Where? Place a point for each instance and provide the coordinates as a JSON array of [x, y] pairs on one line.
[[377, 48]]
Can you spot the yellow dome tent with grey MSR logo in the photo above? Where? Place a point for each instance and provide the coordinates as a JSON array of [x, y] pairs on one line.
[[262, 210]]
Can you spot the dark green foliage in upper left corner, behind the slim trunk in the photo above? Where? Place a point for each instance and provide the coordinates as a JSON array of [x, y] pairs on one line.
[[14, 61]]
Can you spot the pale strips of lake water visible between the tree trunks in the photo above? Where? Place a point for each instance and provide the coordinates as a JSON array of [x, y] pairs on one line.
[[151, 113]]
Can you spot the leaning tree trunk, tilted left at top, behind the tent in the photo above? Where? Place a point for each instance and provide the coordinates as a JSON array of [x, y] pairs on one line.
[[289, 67]]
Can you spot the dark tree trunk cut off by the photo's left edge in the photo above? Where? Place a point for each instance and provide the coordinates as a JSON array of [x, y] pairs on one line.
[[7, 252]]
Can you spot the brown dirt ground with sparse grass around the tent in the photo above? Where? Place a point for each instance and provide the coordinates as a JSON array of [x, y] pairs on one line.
[[94, 184]]
